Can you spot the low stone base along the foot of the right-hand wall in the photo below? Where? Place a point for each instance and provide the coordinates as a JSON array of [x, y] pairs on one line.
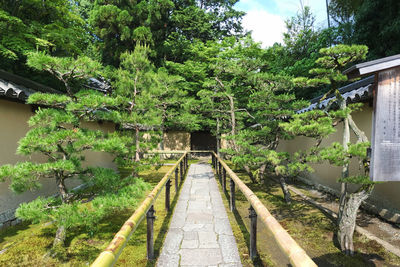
[[388, 214]]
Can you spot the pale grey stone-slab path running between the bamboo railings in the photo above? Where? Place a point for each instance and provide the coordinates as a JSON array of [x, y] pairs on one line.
[[200, 233]]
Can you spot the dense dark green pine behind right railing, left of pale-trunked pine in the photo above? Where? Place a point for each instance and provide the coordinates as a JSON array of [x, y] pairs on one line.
[[271, 103]]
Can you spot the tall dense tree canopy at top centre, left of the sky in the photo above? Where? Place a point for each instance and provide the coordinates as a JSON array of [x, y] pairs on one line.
[[167, 26]]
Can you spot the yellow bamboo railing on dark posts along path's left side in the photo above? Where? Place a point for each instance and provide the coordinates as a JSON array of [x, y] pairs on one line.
[[110, 255]]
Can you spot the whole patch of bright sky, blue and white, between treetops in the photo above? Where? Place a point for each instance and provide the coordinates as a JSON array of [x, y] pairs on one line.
[[266, 18]]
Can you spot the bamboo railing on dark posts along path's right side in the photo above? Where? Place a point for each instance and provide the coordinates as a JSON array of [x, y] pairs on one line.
[[296, 255]]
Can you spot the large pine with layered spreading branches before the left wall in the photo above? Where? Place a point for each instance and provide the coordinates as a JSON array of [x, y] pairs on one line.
[[58, 132]]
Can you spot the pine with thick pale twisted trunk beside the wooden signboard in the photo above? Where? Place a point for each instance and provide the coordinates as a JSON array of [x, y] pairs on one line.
[[333, 61]]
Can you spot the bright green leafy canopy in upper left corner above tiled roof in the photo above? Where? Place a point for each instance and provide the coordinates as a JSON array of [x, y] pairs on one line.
[[52, 26]]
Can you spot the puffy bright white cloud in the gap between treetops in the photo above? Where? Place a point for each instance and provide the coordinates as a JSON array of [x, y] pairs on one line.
[[266, 28]]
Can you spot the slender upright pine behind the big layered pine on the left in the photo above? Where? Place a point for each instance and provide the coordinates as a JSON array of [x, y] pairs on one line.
[[139, 113]]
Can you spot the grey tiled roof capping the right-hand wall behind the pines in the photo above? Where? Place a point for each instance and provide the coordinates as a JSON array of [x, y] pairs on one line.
[[354, 92]]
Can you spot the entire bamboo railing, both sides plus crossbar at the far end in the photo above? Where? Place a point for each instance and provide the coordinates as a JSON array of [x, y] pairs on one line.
[[296, 255]]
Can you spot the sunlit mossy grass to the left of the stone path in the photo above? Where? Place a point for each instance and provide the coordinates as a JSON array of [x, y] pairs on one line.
[[28, 244]]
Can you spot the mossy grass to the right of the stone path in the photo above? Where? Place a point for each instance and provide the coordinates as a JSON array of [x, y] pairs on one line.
[[311, 229]]
